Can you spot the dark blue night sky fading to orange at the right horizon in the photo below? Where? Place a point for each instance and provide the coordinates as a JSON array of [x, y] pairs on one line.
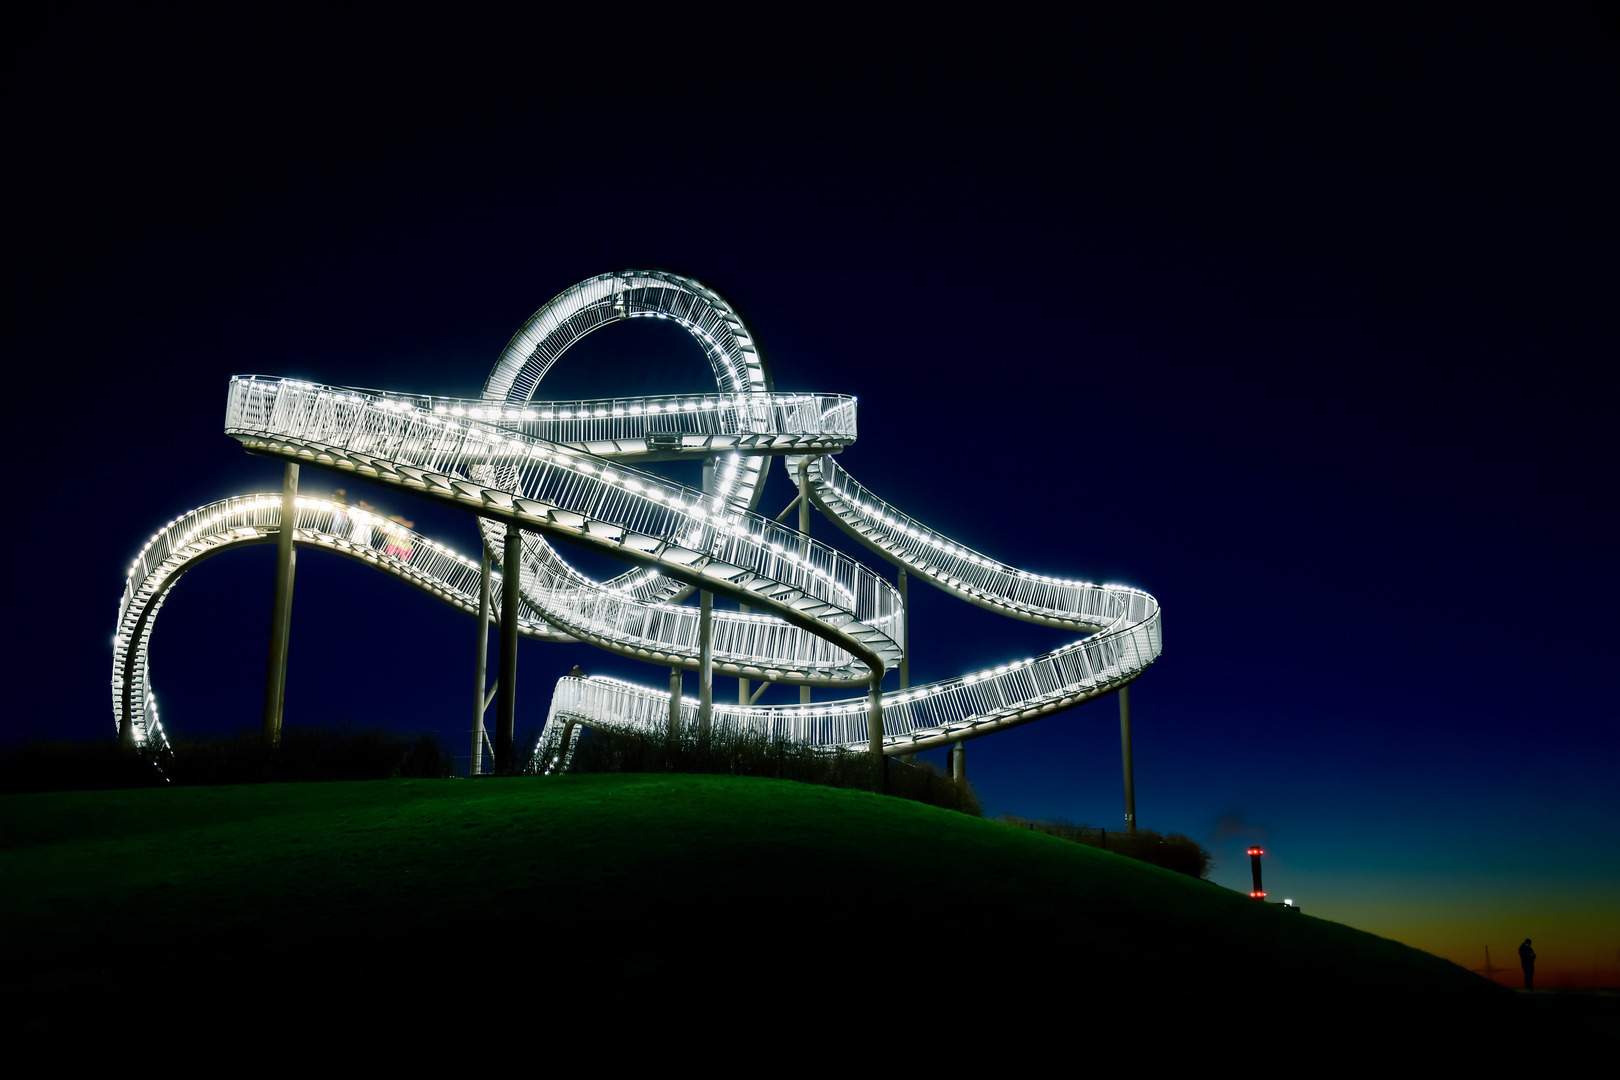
[[1308, 328]]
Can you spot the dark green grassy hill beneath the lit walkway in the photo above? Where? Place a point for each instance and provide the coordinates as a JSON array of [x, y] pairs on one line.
[[748, 896]]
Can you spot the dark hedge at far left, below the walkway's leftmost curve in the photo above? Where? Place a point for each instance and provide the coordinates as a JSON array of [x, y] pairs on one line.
[[305, 754]]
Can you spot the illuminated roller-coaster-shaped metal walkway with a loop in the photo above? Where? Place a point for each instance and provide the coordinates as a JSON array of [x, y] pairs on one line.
[[809, 614]]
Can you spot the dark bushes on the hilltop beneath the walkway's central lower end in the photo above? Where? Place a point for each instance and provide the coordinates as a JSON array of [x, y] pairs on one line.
[[743, 752]]
